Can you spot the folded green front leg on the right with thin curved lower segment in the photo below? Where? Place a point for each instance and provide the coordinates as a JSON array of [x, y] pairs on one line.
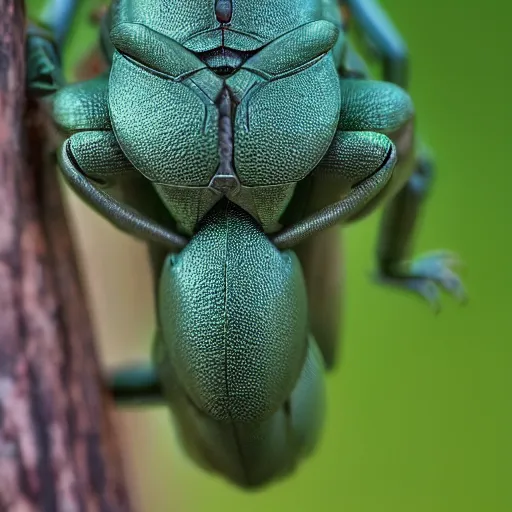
[[370, 106]]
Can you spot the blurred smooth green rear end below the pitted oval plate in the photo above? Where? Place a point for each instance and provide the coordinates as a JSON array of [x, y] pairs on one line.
[[251, 454]]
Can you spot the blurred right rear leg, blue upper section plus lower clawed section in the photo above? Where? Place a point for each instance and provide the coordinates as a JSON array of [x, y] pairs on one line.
[[430, 272]]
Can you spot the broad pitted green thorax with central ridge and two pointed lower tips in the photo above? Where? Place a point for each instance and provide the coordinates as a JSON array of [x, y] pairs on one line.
[[207, 111]]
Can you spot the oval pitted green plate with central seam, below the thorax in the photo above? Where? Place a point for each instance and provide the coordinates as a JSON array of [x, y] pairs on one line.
[[233, 312]]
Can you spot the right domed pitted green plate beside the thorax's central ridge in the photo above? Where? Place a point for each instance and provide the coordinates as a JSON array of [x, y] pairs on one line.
[[300, 113]]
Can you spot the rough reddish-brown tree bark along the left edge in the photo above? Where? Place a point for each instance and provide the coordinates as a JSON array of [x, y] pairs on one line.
[[57, 445]]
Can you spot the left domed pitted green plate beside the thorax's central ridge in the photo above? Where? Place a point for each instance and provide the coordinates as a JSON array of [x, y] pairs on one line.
[[156, 122]]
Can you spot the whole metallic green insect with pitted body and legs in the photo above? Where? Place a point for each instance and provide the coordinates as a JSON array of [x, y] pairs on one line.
[[236, 137]]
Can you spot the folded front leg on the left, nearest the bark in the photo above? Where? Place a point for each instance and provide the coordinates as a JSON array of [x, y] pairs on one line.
[[92, 161]]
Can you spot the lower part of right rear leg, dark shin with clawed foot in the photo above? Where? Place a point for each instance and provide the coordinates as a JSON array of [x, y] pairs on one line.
[[428, 273]]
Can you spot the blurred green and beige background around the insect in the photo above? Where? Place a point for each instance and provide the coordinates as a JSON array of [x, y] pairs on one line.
[[419, 410]]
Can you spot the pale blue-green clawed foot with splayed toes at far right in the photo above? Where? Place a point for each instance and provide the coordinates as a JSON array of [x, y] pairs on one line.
[[427, 275]]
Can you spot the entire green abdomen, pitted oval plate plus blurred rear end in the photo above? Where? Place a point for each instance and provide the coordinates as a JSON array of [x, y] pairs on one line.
[[243, 378]]
